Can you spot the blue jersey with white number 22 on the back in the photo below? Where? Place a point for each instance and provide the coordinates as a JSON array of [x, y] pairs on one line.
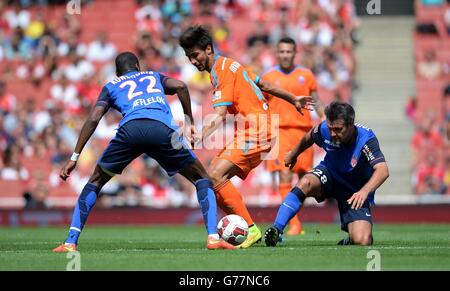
[[138, 95]]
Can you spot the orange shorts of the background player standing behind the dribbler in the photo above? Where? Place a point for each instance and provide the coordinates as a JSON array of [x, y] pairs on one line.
[[288, 139]]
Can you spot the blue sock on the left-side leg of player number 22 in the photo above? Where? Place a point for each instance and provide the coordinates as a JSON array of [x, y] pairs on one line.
[[86, 201]]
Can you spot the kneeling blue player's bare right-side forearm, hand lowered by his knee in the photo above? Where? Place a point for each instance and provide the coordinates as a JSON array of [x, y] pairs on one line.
[[380, 174]]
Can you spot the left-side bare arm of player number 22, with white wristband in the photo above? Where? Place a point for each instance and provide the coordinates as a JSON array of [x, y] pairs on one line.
[[87, 130]]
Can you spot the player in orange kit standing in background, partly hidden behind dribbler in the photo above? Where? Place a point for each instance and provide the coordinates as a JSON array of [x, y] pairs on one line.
[[293, 125]]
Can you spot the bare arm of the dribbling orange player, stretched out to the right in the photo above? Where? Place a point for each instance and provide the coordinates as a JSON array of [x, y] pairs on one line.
[[300, 102]]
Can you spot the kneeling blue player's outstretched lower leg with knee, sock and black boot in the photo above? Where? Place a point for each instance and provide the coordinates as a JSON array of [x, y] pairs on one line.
[[308, 186]]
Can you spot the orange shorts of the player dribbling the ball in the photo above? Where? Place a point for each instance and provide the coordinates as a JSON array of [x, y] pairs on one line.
[[246, 160]]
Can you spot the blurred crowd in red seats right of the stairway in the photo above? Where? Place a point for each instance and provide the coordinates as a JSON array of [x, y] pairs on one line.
[[430, 109]]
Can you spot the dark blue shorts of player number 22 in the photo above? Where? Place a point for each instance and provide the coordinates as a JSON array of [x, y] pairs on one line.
[[146, 136]]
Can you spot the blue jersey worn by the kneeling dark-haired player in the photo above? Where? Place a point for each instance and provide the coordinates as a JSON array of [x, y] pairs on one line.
[[350, 165]]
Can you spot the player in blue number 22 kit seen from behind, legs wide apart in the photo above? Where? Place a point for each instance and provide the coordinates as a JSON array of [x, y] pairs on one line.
[[147, 127]]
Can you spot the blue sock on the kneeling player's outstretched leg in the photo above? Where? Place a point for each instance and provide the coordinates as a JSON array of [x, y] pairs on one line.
[[288, 208]]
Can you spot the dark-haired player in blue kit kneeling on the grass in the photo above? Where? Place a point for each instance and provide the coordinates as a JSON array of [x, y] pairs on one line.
[[353, 168]]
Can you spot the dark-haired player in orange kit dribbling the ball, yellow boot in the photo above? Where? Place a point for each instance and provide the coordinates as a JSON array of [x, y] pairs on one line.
[[238, 92]]
